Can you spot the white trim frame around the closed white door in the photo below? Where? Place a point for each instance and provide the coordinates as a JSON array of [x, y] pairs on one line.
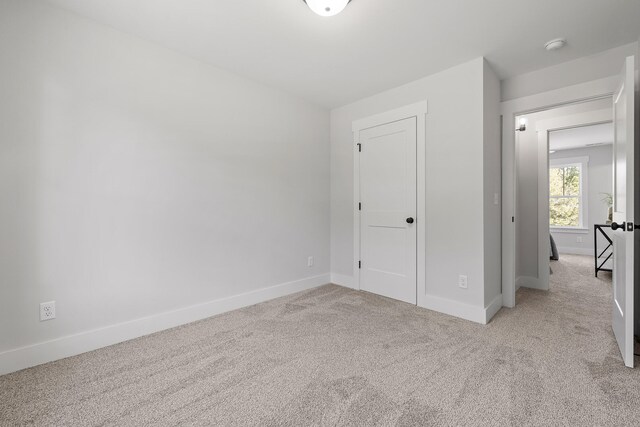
[[418, 110]]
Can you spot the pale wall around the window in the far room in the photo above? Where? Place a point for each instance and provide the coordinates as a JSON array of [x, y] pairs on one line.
[[600, 180]]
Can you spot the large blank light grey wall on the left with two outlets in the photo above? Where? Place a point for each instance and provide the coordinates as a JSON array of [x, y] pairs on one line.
[[135, 180]]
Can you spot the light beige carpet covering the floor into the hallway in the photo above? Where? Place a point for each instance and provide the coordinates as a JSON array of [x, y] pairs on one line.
[[332, 356]]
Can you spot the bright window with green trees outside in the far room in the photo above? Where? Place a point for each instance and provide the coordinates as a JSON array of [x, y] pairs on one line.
[[567, 190]]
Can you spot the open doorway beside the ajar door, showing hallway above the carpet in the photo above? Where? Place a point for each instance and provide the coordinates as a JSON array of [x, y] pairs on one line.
[[564, 187]]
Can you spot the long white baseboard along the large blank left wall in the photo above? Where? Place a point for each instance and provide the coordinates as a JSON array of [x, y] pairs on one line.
[[71, 345]]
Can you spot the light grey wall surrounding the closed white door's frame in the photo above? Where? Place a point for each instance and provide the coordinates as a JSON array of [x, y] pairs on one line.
[[455, 197]]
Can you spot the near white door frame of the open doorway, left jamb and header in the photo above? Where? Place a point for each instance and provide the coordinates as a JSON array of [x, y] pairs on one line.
[[510, 109]]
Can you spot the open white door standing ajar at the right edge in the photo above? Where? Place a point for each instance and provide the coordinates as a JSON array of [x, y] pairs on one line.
[[623, 215]]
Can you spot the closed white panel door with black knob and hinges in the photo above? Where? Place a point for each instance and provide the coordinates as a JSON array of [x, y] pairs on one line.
[[388, 210]]
